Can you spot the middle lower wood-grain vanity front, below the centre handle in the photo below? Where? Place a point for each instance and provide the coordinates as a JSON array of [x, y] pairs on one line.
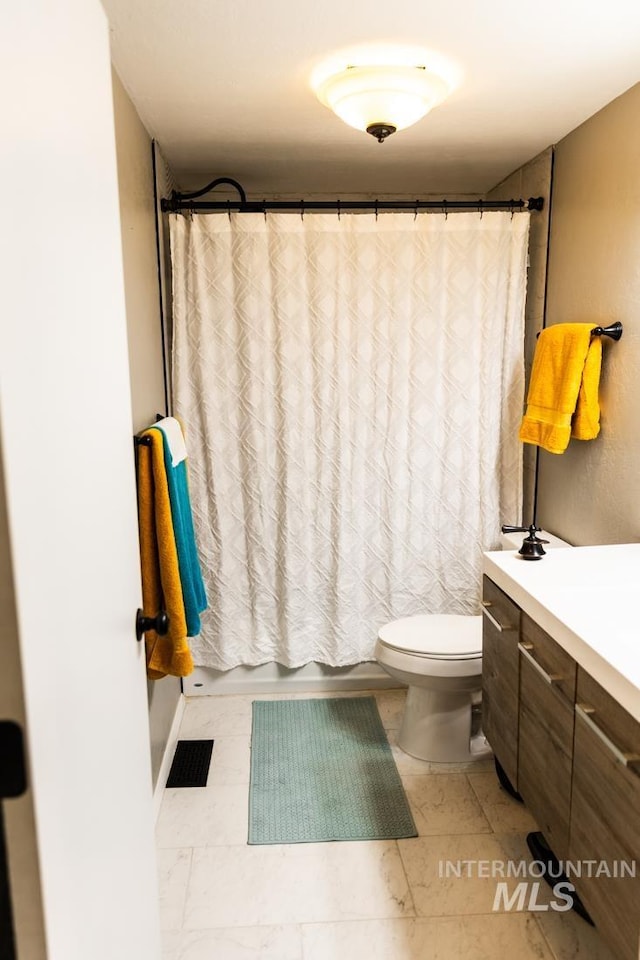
[[546, 723]]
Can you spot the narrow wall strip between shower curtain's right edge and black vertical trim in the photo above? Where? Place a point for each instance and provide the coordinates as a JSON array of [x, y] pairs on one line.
[[531, 180]]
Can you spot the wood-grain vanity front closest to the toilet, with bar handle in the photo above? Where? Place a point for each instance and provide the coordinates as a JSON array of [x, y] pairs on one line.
[[500, 631]]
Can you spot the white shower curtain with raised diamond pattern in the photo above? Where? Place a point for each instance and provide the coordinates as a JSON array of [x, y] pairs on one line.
[[351, 388]]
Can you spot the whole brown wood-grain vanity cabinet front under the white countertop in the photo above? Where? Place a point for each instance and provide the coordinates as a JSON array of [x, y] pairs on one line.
[[573, 753]]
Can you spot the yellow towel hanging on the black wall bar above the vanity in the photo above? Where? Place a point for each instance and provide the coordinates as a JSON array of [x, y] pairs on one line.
[[562, 401]]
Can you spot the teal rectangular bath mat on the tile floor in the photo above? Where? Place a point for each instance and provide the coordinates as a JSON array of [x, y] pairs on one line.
[[323, 770]]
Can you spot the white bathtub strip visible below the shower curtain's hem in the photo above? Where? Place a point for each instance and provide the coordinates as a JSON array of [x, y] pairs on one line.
[[274, 678]]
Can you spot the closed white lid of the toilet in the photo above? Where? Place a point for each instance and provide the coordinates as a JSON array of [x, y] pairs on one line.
[[440, 636]]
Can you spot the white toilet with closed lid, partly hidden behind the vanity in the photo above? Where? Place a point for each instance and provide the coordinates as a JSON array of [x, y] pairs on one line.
[[439, 657]]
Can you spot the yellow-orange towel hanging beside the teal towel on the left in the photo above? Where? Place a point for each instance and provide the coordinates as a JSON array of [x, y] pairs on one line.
[[161, 586]]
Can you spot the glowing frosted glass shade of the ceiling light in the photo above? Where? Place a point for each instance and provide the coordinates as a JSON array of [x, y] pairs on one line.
[[387, 95]]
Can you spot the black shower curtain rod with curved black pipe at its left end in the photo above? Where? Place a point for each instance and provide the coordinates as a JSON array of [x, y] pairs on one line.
[[179, 202]]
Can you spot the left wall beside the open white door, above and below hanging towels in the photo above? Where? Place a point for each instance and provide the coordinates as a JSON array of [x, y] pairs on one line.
[[142, 295]]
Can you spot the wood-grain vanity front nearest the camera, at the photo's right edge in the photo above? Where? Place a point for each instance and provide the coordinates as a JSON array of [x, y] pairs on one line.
[[605, 820]]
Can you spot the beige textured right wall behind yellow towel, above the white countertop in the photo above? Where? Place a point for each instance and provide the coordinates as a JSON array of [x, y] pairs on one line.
[[590, 494]]
